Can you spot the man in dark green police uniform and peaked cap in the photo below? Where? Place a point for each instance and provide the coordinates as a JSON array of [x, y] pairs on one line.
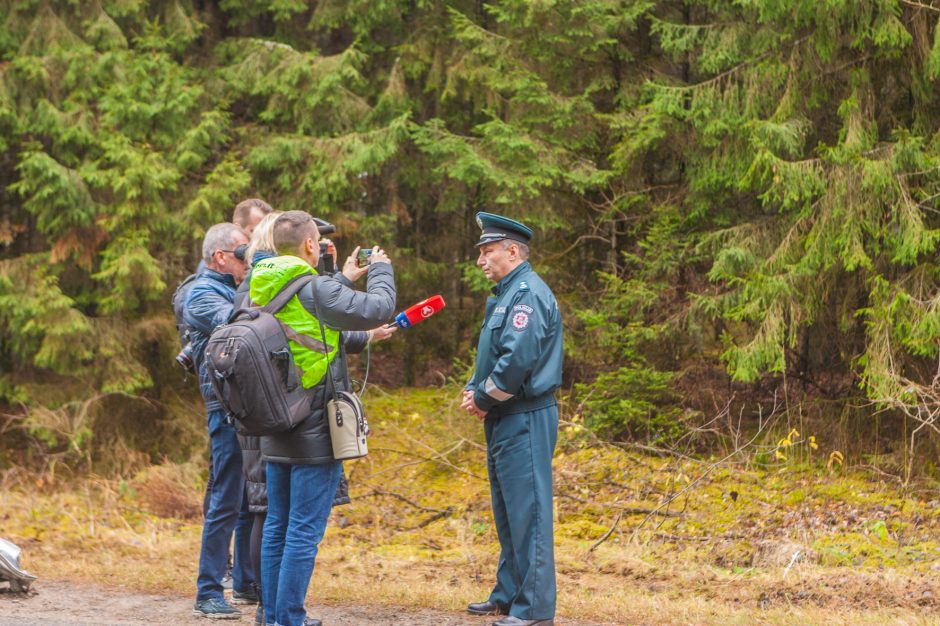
[[518, 369]]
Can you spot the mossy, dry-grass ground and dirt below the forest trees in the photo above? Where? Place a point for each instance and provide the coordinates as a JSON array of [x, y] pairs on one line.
[[779, 533]]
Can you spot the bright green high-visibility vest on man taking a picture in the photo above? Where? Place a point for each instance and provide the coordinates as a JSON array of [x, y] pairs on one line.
[[267, 278]]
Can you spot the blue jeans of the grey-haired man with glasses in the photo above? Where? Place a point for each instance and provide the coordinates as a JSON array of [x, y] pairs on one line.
[[227, 512]]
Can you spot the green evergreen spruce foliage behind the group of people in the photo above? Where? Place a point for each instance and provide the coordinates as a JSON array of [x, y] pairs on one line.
[[753, 183]]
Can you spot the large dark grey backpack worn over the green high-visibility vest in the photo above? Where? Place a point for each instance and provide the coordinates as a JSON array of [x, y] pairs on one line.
[[252, 369]]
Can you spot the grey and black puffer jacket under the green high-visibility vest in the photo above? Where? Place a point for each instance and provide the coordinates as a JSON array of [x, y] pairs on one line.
[[345, 309]]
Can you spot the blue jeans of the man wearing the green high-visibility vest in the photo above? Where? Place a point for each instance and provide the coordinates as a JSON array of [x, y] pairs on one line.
[[300, 498]]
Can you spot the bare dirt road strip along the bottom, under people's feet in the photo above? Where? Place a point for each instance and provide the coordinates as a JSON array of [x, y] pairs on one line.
[[51, 603]]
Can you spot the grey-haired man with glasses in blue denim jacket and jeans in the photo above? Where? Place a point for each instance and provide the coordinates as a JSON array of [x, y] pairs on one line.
[[209, 304]]
